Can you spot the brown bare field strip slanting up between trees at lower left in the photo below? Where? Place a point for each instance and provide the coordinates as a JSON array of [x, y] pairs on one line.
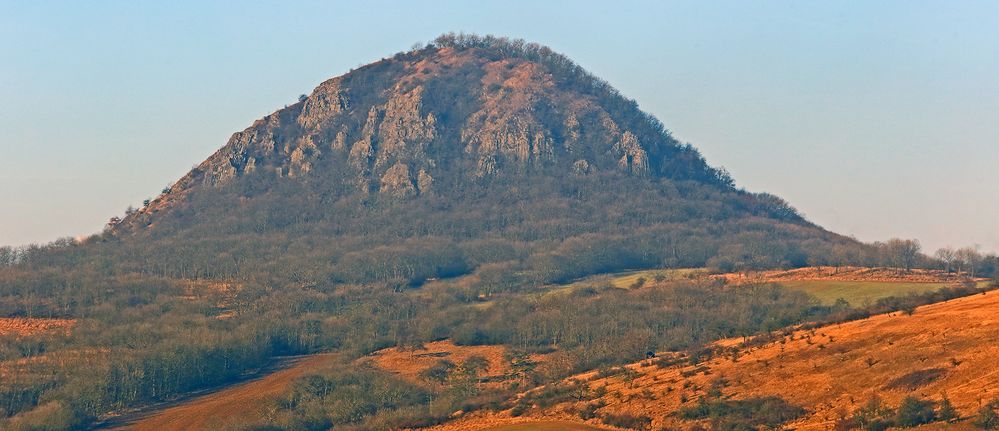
[[237, 404]]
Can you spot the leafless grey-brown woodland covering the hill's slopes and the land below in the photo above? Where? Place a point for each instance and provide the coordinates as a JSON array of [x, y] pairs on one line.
[[206, 283]]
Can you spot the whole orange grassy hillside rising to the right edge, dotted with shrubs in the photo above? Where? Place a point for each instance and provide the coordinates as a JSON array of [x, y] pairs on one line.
[[822, 374]]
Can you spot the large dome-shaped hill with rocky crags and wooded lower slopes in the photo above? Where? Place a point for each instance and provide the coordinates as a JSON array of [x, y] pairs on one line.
[[468, 154]]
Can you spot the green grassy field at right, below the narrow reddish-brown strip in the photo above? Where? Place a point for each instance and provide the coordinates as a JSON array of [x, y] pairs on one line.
[[858, 293]]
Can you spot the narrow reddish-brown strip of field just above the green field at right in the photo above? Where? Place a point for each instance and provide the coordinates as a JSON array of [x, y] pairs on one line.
[[844, 273]]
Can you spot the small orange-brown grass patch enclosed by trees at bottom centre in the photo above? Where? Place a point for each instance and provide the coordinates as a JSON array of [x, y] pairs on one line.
[[409, 363]]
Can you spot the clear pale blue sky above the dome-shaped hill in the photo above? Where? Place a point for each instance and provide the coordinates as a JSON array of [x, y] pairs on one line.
[[875, 119]]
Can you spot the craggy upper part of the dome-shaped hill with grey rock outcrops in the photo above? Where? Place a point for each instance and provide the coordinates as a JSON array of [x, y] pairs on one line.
[[461, 112]]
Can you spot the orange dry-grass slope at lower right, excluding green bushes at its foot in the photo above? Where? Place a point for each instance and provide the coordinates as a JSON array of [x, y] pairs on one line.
[[945, 349]]
